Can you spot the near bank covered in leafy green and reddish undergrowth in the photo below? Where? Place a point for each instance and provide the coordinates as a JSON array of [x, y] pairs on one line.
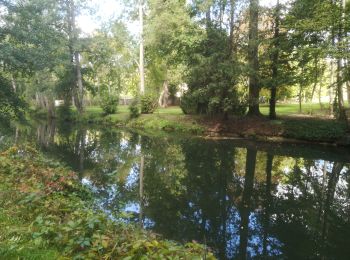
[[45, 213]]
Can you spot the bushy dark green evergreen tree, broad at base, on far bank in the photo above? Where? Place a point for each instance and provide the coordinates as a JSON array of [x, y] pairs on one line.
[[213, 77]]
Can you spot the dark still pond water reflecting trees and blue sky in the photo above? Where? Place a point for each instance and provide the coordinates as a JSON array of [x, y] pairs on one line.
[[241, 198]]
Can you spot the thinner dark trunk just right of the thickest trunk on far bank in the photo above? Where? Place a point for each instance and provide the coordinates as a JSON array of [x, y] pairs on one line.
[[275, 61]]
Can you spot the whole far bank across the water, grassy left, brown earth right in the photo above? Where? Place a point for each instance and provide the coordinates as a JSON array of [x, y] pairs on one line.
[[289, 127]]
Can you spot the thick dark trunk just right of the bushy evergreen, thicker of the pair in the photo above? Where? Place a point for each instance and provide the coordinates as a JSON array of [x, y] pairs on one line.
[[253, 59]]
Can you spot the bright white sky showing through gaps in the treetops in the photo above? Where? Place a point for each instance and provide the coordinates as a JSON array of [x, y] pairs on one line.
[[112, 9]]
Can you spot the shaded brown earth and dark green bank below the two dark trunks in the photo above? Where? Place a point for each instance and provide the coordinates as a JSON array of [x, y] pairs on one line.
[[286, 129]]
